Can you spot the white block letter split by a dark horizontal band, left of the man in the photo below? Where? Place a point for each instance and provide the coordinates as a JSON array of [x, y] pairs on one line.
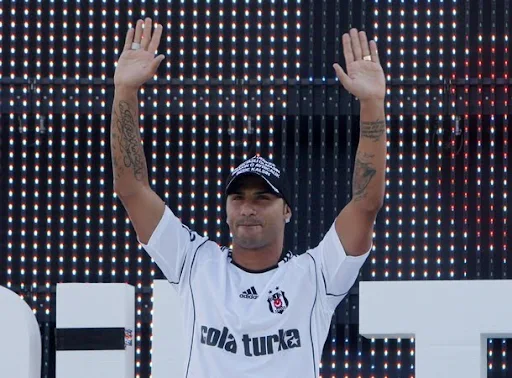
[[93, 307]]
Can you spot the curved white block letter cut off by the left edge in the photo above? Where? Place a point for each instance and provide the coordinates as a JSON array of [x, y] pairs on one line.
[[20, 338]]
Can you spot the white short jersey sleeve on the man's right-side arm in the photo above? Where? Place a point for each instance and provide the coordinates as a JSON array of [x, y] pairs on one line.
[[337, 271]]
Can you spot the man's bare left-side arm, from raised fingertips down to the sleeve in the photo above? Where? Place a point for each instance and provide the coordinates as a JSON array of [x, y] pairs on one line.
[[131, 183]]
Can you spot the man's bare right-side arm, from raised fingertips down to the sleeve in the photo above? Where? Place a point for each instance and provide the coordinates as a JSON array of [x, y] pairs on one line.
[[365, 79]]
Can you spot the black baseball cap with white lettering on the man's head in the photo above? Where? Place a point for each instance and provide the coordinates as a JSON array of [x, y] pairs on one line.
[[268, 171]]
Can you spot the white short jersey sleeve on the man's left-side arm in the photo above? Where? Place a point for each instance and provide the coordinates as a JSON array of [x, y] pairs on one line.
[[172, 245]]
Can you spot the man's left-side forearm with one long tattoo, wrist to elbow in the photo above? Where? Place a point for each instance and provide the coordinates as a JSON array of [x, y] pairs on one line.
[[128, 160]]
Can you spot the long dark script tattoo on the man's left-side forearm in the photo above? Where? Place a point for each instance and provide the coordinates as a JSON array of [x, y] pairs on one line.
[[131, 154]]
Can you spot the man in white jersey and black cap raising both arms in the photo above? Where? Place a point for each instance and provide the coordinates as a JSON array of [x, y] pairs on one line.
[[253, 311]]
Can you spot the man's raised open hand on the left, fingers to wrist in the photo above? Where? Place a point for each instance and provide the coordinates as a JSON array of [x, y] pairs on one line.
[[136, 66]]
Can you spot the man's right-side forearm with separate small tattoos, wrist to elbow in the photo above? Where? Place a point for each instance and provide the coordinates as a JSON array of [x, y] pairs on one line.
[[368, 183]]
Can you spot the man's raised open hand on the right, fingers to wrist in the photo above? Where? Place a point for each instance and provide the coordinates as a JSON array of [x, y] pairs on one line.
[[364, 77]]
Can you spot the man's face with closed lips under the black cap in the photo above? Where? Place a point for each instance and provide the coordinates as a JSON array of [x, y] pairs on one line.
[[255, 216]]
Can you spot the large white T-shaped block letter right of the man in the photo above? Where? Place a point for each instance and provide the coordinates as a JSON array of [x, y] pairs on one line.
[[450, 321]]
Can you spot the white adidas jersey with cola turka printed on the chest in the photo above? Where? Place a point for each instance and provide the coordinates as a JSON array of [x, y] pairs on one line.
[[244, 324]]
